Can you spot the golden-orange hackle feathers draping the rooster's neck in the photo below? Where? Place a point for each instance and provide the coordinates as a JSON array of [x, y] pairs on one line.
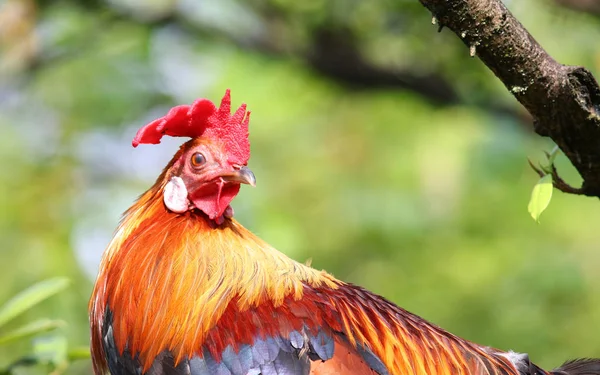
[[185, 277]]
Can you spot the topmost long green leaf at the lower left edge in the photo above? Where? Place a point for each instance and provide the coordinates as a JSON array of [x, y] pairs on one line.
[[30, 297]]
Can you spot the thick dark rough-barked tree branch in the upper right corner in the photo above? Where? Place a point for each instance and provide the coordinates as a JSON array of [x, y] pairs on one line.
[[563, 100]]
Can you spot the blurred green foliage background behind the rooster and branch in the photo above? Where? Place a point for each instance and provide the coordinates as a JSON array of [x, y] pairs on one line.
[[382, 151]]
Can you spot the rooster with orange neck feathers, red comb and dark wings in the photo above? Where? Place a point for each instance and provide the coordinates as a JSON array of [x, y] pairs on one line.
[[184, 289]]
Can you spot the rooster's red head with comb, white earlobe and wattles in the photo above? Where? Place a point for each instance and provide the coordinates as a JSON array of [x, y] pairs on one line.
[[207, 171]]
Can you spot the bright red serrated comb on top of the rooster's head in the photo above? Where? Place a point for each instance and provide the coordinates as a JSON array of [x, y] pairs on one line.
[[204, 119]]
